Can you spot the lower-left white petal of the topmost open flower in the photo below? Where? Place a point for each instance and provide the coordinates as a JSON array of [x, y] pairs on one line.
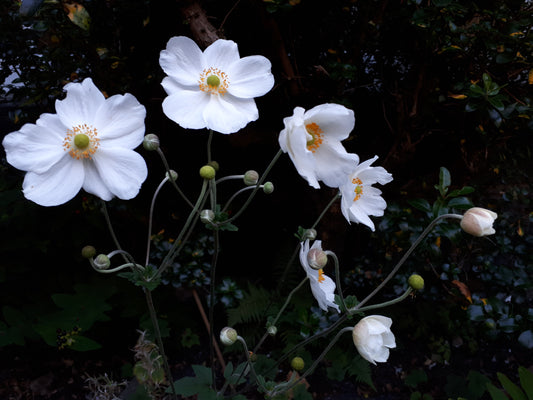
[[186, 108]]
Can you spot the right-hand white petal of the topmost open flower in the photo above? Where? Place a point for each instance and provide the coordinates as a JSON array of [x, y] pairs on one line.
[[250, 77]]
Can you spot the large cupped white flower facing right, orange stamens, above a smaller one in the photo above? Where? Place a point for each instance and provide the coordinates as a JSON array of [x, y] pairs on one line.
[[313, 140]]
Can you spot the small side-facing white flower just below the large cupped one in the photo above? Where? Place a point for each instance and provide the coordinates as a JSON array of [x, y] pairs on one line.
[[359, 198]]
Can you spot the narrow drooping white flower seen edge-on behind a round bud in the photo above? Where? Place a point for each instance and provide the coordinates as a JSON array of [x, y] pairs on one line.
[[322, 286]]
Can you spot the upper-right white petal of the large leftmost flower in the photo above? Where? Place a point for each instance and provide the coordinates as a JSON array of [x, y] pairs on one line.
[[120, 121]]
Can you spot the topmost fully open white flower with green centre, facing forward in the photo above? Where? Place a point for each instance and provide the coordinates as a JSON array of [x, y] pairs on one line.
[[214, 89]]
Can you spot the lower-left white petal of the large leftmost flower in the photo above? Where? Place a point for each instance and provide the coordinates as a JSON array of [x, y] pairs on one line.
[[57, 185]]
